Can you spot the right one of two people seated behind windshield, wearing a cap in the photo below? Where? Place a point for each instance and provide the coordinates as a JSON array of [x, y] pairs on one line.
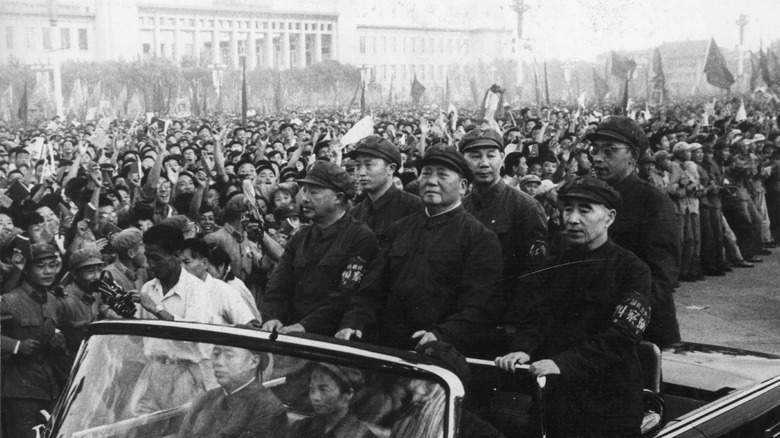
[[331, 390]]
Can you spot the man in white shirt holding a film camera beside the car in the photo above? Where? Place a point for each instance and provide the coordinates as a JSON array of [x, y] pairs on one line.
[[175, 372]]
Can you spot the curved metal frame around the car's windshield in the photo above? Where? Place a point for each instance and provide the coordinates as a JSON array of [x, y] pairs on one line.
[[305, 346]]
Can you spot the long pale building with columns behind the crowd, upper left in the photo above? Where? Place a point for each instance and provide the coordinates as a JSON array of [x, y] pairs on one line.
[[388, 39]]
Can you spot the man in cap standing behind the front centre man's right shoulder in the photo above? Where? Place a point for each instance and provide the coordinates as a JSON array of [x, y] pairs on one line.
[[517, 219]]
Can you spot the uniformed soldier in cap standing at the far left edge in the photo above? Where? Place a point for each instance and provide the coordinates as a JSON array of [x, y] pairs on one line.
[[31, 344]]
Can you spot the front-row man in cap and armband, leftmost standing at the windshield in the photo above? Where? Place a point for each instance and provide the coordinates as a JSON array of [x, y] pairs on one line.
[[324, 262]]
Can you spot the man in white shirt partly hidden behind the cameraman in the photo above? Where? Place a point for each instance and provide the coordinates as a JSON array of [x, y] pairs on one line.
[[227, 306]]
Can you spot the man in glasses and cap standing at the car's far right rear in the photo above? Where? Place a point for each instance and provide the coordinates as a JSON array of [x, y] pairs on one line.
[[646, 224]]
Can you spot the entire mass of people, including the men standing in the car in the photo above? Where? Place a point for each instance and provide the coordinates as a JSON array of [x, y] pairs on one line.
[[464, 228]]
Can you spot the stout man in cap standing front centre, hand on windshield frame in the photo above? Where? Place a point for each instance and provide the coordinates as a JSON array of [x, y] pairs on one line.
[[438, 274]]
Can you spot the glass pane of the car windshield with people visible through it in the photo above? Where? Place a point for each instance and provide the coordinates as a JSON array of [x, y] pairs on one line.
[[134, 386]]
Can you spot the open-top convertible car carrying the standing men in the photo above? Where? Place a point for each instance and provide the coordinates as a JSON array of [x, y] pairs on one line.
[[162, 379]]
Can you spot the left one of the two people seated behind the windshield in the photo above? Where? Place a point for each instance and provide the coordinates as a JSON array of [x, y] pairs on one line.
[[241, 406]]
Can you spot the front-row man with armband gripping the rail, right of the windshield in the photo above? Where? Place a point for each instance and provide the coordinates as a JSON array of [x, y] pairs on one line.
[[591, 309]]
